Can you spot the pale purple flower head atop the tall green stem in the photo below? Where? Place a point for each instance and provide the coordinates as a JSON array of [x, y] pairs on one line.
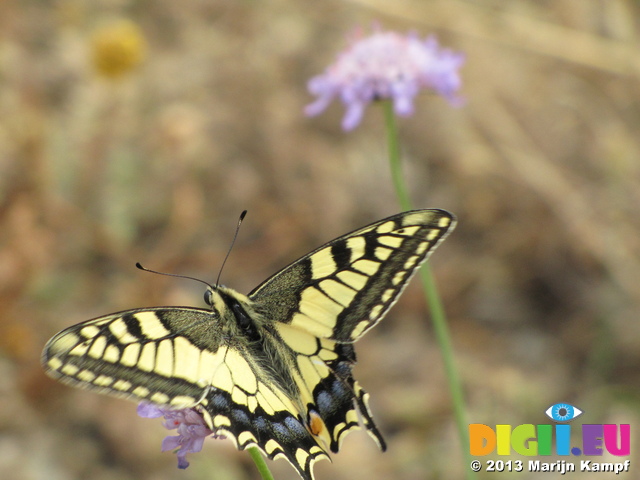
[[386, 65]]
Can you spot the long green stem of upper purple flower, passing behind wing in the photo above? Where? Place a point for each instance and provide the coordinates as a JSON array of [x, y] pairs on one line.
[[438, 316]]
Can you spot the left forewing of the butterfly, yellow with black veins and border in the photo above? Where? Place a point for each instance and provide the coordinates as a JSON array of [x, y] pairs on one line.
[[167, 355]]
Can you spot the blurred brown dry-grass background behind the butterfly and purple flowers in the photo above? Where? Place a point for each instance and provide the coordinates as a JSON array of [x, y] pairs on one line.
[[150, 152]]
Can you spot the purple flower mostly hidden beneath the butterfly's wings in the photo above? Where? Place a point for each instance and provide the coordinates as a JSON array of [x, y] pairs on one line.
[[190, 425]]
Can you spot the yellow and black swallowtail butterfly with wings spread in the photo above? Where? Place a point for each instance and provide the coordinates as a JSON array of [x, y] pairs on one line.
[[272, 369]]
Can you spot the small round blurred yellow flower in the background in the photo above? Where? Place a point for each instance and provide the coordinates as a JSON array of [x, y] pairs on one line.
[[117, 48]]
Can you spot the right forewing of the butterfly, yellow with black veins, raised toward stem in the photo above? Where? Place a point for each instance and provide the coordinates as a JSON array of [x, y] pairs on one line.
[[345, 287]]
